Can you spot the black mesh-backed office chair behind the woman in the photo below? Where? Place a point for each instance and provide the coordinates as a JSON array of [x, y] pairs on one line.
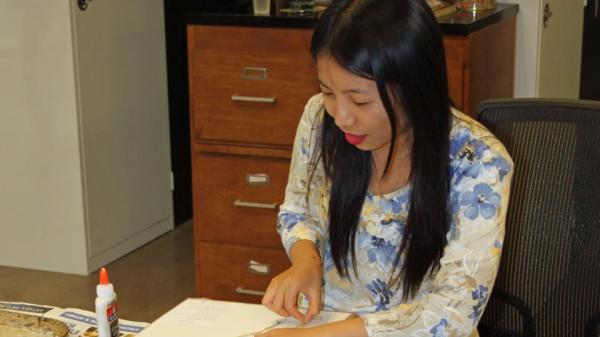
[[549, 278]]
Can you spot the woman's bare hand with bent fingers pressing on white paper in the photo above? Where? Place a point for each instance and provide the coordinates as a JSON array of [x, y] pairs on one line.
[[304, 276]]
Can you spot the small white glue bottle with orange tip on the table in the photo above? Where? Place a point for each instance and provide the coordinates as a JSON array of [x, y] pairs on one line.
[[107, 317]]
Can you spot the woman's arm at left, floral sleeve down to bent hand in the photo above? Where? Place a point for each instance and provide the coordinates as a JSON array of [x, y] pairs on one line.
[[301, 231]]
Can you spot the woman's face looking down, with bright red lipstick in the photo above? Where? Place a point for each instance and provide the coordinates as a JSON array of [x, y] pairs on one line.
[[354, 103]]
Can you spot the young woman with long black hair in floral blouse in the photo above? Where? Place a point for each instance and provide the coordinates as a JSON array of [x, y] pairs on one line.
[[395, 203]]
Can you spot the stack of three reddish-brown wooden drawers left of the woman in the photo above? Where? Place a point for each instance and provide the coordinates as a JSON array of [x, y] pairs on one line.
[[248, 89]]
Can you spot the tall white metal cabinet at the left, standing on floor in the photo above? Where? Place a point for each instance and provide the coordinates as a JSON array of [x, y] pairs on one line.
[[84, 173]]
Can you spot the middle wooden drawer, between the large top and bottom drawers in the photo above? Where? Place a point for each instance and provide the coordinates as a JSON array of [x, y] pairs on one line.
[[237, 197]]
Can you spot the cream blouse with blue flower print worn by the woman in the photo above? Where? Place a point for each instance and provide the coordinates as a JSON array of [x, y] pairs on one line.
[[450, 302]]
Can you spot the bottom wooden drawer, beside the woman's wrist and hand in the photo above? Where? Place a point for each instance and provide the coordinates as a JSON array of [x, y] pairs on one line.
[[236, 273]]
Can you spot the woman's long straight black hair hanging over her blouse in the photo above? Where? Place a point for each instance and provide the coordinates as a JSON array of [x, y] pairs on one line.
[[398, 44]]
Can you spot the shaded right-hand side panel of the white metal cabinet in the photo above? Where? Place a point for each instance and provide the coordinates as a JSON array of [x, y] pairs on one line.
[[124, 118]]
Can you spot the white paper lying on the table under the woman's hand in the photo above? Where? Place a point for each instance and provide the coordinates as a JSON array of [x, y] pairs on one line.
[[208, 318]]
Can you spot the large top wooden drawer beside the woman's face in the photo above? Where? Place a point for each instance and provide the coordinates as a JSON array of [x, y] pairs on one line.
[[249, 84]]
